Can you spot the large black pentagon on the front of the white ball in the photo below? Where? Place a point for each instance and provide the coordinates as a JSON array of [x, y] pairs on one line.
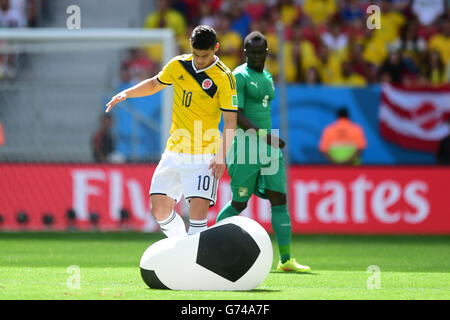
[[227, 250]]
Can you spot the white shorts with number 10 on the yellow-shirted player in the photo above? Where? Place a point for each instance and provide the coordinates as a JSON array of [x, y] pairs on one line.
[[183, 174]]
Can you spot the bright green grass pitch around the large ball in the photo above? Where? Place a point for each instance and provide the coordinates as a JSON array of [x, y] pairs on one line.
[[34, 266]]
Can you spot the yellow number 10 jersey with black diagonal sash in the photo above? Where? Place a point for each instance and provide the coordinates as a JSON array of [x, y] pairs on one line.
[[200, 96]]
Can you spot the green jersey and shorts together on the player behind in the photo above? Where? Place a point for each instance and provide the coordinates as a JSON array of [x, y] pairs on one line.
[[255, 92]]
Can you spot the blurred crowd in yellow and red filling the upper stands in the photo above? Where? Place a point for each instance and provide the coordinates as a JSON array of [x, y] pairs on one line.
[[327, 41]]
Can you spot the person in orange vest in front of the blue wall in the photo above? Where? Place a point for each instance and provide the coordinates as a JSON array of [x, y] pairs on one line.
[[343, 141]]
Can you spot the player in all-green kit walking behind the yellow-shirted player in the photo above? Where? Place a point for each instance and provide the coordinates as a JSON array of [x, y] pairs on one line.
[[255, 91]]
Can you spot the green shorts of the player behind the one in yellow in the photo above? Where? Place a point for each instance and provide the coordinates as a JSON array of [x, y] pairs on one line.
[[248, 179]]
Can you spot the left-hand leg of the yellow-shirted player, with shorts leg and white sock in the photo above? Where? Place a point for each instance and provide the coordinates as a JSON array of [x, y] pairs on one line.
[[165, 191]]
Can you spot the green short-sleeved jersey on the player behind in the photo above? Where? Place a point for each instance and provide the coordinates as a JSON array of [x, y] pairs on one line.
[[255, 92]]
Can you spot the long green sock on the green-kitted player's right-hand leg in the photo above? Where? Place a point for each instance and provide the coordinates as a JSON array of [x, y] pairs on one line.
[[281, 225]]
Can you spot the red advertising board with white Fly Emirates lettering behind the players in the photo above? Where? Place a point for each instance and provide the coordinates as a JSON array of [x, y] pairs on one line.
[[403, 200]]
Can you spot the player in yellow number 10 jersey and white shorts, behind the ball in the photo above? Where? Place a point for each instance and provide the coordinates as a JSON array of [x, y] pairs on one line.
[[194, 159]]
